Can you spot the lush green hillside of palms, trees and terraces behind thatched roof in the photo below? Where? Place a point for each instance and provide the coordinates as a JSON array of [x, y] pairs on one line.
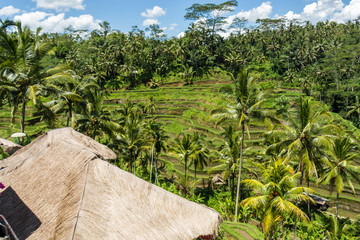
[[273, 109]]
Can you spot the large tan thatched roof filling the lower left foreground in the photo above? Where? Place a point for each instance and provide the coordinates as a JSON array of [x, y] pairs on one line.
[[60, 187]]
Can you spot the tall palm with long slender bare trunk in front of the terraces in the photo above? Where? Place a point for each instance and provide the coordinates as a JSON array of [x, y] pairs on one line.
[[247, 103]]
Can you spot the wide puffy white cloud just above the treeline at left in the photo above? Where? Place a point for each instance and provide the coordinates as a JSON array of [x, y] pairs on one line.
[[57, 23]]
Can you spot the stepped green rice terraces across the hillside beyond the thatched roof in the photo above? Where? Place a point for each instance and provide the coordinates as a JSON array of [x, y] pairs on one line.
[[187, 109]]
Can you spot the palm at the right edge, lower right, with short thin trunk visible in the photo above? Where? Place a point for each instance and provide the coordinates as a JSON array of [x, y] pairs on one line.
[[340, 167]]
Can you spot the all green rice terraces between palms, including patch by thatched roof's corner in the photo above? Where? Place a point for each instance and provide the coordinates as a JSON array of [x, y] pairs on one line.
[[187, 109]]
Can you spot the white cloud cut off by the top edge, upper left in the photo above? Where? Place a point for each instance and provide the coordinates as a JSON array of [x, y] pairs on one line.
[[60, 4]]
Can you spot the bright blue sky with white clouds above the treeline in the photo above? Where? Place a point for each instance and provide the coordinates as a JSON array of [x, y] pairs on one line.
[[56, 15]]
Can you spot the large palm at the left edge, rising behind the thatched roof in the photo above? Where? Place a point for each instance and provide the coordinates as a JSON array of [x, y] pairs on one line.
[[20, 59]]
